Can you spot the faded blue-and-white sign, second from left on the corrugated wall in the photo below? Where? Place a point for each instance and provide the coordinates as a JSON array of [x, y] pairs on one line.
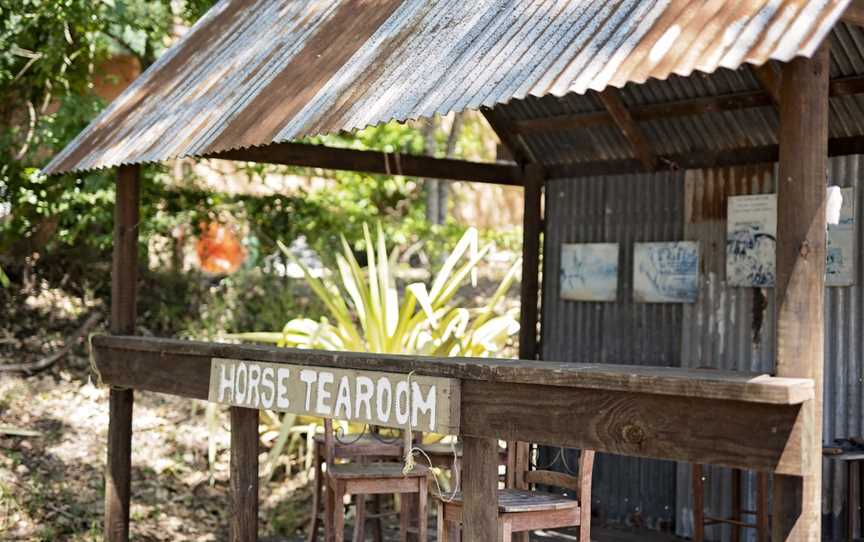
[[666, 272]]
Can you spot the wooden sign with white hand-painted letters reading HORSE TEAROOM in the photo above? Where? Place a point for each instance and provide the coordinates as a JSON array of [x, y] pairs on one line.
[[385, 399]]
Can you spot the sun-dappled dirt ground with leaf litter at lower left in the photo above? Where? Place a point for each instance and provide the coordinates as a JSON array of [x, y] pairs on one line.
[[51, 483]]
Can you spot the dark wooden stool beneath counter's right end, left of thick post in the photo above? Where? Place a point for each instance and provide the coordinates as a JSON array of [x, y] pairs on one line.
[[700, 520]]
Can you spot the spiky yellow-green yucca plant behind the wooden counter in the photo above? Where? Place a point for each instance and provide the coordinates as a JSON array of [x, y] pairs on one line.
[[365, 313]]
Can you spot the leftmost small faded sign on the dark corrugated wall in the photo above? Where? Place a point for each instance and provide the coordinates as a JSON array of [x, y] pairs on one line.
[[589, 272]]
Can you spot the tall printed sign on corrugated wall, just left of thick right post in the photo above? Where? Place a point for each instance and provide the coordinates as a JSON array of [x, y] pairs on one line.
[[751, 240]]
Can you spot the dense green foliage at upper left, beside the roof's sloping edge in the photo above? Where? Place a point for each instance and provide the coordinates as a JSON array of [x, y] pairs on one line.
[[51, 50]]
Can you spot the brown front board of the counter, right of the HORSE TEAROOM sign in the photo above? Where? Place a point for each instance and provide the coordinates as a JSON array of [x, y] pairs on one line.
[[719, 432]]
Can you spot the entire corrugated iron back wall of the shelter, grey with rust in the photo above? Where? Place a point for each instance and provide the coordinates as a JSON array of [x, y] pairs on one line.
[[728, 328]]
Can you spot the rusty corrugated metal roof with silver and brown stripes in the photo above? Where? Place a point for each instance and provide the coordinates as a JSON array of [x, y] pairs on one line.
[[255, 72]]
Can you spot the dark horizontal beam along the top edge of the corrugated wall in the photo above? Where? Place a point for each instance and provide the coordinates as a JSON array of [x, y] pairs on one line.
[[766, 154]]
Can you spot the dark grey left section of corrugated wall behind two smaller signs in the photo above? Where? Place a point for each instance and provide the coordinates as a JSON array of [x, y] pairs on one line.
[[623, 209]]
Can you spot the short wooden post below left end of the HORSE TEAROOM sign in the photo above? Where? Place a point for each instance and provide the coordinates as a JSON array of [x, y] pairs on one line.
[[244, 475]]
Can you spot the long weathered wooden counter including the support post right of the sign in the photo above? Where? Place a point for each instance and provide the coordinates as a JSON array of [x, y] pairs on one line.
[[730, 419]]
